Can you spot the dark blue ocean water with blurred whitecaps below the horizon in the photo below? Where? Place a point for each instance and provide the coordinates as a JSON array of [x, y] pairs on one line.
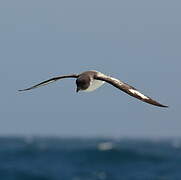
[[51, 158]]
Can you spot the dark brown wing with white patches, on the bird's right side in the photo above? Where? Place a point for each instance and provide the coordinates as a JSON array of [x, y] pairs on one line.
[[127, 89]]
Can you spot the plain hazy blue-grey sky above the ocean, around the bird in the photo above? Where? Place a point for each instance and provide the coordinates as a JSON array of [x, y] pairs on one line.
[[136, 41]]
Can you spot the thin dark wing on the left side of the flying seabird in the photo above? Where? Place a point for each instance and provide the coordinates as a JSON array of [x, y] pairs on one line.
[[50, 81]]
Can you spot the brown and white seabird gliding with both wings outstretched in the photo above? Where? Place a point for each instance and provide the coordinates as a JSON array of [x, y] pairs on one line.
[[91, 80]]
